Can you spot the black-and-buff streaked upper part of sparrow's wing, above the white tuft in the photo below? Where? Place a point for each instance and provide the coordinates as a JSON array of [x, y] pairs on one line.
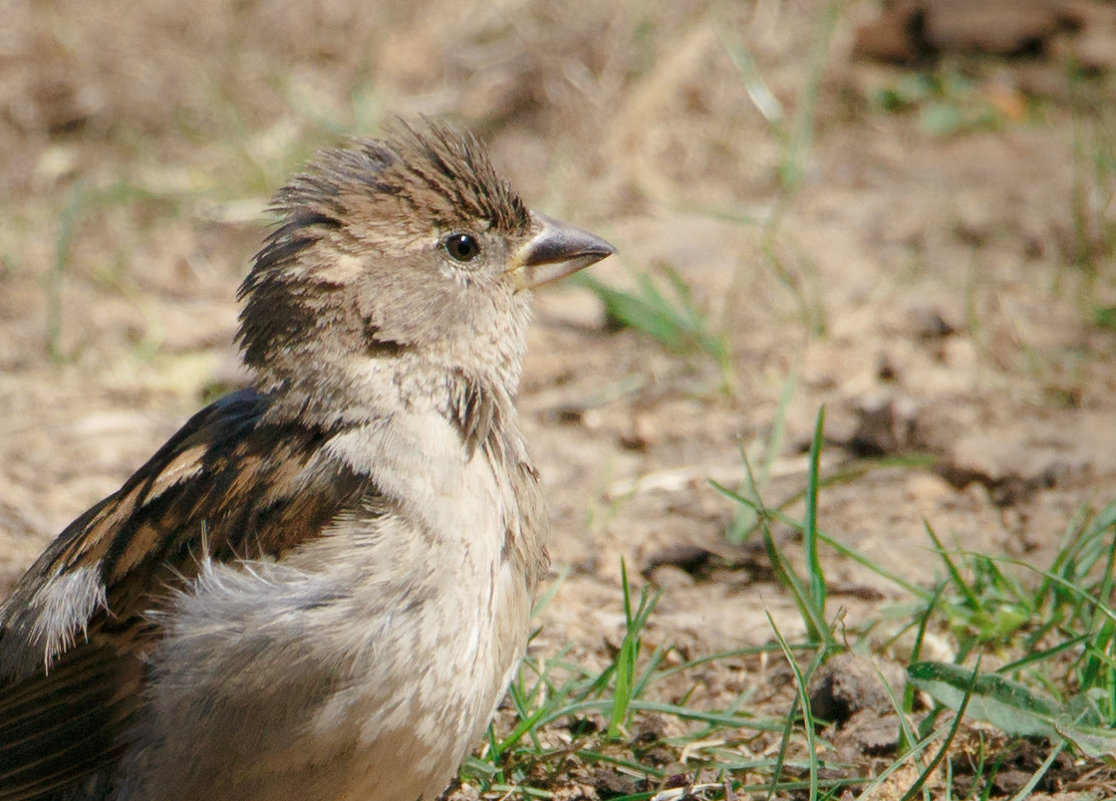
[[228, 484]]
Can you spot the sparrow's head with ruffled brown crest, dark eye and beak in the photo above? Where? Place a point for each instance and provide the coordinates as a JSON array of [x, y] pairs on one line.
[[407, 248]]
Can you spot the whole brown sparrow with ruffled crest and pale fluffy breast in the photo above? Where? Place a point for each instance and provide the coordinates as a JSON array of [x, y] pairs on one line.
[[321, 587]]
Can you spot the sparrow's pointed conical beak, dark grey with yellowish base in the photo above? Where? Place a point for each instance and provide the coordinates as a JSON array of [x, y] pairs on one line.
[[555, 252]]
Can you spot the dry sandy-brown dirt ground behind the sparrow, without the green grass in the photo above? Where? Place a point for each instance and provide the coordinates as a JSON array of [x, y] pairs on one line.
[[935, 289]]
